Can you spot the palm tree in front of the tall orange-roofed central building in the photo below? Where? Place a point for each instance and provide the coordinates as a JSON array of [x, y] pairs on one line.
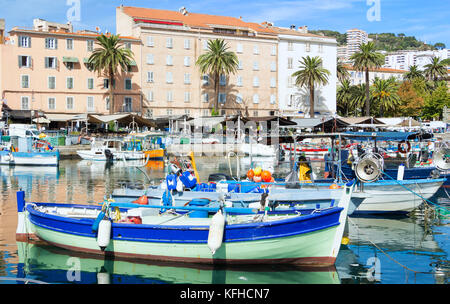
[[217, 61]]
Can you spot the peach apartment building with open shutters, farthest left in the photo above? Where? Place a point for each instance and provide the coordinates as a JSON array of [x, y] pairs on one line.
[[47, 71]]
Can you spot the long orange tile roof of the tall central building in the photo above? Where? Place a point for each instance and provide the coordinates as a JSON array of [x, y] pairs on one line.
[[193, 19]]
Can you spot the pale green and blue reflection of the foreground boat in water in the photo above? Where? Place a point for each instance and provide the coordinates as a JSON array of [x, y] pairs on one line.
[[53, 265]]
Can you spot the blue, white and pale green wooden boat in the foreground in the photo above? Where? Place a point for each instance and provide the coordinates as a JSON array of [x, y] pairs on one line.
[[231, 236]]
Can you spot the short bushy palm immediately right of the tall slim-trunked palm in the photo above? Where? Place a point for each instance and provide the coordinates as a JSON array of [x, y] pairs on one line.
[[384, 94]]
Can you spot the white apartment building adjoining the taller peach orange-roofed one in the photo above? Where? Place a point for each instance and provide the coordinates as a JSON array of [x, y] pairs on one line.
[[294, 44]]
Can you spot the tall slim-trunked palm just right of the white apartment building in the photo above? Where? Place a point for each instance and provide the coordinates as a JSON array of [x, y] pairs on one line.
[[367, 58]]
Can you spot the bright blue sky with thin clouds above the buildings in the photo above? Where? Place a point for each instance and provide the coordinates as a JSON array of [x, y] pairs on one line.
[[428, 21]]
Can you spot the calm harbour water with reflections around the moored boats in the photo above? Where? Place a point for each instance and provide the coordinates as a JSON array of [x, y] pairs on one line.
[[381, 250]]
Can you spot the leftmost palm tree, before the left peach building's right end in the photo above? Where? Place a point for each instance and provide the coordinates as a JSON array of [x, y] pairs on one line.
[[107, 58]]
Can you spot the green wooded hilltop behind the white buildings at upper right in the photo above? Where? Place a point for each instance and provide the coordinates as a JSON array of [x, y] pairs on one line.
[[383, 41]]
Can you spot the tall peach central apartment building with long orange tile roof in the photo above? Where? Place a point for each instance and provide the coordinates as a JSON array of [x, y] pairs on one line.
[[173, 40]]
